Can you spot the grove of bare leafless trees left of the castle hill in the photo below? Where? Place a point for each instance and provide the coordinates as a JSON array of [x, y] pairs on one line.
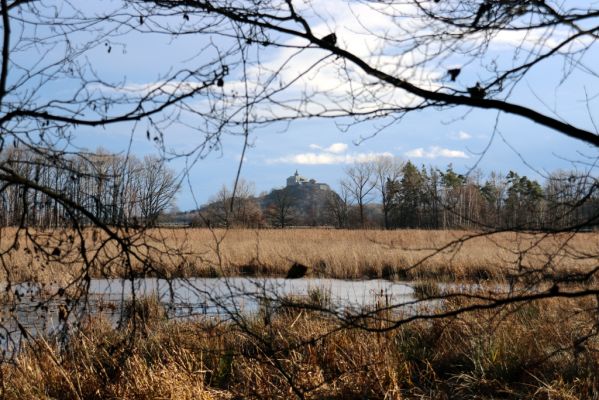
[[116, 189]]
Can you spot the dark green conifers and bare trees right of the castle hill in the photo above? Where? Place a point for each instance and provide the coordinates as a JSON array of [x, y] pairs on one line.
[[432, 198]]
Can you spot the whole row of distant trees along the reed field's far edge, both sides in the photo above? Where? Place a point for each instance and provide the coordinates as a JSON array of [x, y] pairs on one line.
[[123, 190]]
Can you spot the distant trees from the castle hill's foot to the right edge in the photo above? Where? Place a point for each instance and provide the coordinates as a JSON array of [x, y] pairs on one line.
[[391, 194]]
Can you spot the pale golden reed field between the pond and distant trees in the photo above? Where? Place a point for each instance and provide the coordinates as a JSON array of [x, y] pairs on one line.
[[345, 254]]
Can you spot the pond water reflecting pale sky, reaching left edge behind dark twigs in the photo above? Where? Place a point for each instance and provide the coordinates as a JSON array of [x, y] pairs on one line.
[[31, 311]]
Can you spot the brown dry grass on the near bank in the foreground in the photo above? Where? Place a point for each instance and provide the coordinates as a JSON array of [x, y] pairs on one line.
[[535, 350]]
